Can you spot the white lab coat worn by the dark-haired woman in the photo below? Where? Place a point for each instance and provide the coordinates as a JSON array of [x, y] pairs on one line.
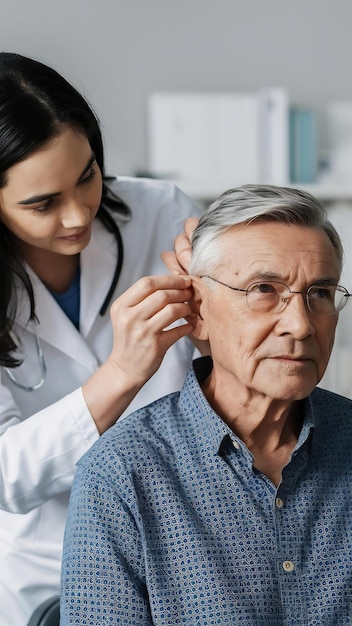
[[44, 432]]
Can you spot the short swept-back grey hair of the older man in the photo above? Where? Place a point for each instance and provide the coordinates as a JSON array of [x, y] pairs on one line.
[[255, 203]]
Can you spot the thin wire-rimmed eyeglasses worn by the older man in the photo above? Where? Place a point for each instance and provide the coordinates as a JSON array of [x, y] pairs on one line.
[[273, 297]]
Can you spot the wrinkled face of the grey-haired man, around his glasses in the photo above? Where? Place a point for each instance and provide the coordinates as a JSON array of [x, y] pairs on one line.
[[282, 355]]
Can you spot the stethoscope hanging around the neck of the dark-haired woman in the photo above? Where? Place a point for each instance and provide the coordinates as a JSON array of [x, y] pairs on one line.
[[111, 225]]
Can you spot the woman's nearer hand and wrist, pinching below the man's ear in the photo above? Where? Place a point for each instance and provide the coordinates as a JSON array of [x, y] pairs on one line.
[[143, 321]]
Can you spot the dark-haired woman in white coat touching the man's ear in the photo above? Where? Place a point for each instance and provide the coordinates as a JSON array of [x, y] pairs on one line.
[[71, 243]]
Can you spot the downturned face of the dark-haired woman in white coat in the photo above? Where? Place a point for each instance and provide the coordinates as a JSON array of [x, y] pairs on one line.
[[52, 196]]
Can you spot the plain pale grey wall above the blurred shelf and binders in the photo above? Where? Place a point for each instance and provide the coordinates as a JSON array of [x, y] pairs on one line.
[[117, 51]]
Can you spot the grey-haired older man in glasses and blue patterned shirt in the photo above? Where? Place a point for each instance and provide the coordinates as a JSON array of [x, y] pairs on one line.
[[230, 502]]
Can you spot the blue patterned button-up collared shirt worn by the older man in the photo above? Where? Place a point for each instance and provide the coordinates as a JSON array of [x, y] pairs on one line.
[[170, 524]]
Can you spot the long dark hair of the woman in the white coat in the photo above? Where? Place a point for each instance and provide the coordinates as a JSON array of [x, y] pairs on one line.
[[35, 101]]
